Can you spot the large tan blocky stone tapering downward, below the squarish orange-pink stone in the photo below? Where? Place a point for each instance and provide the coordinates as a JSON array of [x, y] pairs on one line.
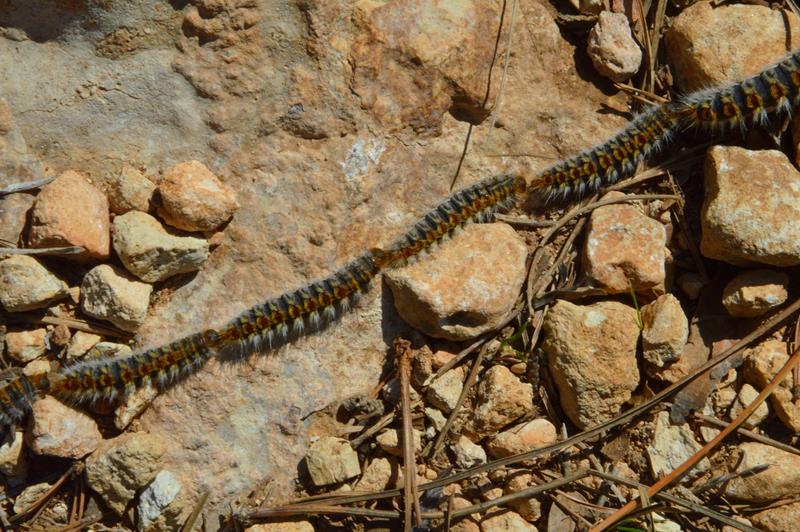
[[591, 352]]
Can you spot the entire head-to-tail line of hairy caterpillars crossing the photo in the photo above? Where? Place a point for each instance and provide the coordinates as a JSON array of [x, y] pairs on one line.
[[770, 95]]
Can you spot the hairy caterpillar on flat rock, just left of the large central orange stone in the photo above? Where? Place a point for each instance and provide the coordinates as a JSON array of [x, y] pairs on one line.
[[303, 311]]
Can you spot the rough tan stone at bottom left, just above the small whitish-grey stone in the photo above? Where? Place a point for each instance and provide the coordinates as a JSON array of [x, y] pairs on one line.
[[123, 465]]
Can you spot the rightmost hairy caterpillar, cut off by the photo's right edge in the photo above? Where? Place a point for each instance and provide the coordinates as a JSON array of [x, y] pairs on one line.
[[773, 92]]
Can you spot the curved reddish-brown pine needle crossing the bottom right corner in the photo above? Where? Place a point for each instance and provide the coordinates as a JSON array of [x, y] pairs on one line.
[[682, 469]]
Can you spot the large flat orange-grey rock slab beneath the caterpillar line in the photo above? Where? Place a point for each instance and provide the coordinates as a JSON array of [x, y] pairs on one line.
[[336, 125]]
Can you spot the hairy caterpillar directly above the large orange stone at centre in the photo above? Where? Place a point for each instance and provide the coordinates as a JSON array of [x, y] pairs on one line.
[[474, 204]]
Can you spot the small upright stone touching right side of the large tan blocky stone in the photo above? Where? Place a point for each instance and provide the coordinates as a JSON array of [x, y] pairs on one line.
[[665, 331]]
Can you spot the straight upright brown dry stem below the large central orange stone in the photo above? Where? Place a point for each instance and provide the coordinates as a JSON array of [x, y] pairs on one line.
[[403, 354]]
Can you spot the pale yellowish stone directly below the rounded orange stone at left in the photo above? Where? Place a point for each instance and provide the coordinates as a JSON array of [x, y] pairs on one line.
[[152, 254]]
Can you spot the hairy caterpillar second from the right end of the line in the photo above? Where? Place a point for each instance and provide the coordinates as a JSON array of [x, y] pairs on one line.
[[611, 161]]
